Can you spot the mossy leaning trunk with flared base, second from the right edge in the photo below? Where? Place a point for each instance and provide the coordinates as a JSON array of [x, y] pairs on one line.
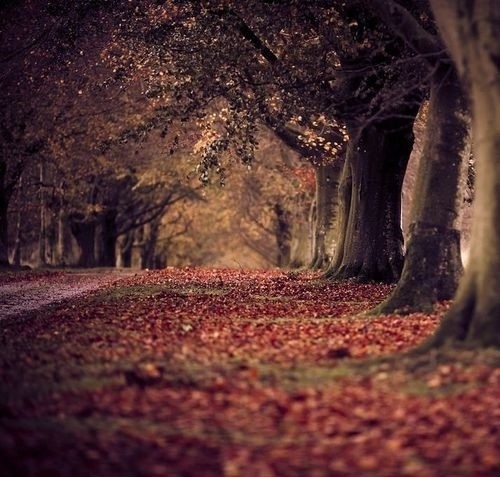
[[433, 264]]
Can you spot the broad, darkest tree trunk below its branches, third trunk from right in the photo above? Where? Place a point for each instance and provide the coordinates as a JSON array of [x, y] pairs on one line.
[[370, 244]]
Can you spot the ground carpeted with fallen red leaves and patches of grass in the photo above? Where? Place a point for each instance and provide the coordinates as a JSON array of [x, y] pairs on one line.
[[207, 372]]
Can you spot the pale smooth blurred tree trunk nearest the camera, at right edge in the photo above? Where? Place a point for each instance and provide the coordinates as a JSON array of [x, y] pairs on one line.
[[475, 315]]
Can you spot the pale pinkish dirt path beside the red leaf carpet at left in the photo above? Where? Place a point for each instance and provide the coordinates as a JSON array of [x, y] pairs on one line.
[[29, 293]]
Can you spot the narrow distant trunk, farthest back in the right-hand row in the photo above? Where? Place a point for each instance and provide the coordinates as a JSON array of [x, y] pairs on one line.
[[326, 223]]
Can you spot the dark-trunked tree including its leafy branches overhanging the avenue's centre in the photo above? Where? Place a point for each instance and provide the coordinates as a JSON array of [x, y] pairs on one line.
[[222, 49]]
